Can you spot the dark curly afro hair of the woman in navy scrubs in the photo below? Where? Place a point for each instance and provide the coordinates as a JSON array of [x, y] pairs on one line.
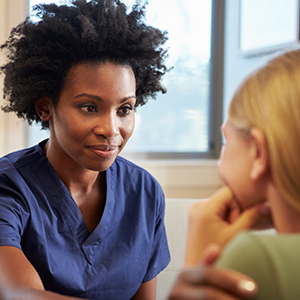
[[40, 54]]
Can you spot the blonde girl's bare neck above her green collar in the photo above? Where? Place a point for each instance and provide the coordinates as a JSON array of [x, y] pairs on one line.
[[285, 217]]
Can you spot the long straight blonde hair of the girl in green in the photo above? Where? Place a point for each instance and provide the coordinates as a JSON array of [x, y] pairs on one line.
[[269, 99]]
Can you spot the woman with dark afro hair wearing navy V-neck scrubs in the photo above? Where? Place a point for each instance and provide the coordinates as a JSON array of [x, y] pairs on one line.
[[77, 220]]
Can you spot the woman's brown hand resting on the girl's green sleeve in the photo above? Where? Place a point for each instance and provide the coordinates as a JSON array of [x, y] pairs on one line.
[[204, 281]]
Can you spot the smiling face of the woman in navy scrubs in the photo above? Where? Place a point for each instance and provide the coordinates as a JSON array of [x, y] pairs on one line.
[[94, 117]]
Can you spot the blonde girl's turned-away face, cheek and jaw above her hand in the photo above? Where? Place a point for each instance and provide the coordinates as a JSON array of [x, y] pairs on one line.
[[235, 165]]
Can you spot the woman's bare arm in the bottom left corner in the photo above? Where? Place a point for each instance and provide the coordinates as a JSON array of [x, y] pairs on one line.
[[19, 279]]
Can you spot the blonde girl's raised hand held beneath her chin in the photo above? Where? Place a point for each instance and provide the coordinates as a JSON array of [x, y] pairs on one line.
[[217, 221]]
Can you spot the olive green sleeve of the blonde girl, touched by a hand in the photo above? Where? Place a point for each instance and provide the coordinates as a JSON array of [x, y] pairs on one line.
[[247, 255]]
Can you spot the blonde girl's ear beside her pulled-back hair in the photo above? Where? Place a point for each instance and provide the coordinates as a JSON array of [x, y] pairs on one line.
[[260, 162]]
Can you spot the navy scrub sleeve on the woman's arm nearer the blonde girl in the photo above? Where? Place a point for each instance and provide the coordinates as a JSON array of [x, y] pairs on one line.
[[160, 255]]
